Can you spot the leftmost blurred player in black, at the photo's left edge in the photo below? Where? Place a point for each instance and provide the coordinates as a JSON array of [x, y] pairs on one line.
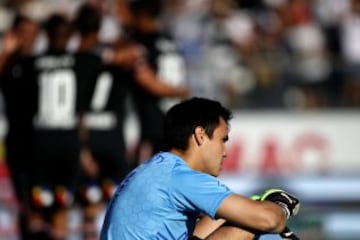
[[18, 44]]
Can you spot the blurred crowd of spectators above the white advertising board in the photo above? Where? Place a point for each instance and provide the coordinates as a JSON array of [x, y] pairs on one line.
[[298, 54]]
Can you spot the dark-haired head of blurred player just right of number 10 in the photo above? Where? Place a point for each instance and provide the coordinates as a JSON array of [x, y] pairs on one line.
[[87, 20]]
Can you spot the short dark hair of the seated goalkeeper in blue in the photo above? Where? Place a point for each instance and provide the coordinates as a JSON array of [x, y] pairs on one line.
[[182, 119]]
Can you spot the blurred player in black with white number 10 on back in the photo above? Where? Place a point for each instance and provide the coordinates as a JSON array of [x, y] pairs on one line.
[[56, 102]]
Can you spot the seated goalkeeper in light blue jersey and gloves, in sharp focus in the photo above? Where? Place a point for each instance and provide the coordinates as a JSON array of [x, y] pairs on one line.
[[176, 194]]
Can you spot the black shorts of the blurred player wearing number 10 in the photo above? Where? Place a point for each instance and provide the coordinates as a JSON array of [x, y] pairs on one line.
[[54, 169]]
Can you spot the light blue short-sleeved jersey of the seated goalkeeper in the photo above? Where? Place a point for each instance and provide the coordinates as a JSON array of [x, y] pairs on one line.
[[161, 199]]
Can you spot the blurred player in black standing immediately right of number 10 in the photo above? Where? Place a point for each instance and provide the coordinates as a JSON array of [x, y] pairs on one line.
[[103, 157]]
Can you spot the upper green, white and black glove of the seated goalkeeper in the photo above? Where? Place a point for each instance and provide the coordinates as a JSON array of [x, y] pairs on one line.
[[290, 203]]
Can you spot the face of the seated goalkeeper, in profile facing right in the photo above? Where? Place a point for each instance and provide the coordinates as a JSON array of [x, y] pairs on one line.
[[213, 149]]
